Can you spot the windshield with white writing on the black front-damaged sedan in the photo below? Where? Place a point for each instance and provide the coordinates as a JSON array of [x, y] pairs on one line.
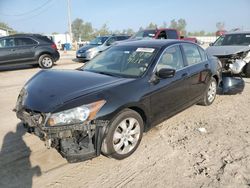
[[123, 61]]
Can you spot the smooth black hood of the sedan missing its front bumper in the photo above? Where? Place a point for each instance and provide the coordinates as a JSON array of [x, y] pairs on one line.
[[50, 89]]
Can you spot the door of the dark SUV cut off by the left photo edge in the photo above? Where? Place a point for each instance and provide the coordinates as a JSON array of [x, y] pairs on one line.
[[6, 50]]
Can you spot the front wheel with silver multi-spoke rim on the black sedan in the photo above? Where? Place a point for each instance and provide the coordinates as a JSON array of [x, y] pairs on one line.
[[124, 135]]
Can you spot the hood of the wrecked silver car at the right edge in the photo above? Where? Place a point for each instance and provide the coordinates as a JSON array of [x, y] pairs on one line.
[[226, 50]]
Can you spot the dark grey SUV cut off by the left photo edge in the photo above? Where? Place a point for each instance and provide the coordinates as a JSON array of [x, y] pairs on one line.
[[28, 49]]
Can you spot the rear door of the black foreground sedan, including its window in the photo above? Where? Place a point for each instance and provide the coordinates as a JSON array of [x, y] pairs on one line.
[[198, 69]]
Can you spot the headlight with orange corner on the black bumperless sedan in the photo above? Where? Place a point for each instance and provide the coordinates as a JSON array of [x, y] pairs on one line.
[[76, 115]]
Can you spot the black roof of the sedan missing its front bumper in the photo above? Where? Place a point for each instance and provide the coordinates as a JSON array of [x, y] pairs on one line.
[[152, 43]]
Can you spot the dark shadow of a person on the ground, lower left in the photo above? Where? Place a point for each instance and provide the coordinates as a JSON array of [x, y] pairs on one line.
[[15, 164]]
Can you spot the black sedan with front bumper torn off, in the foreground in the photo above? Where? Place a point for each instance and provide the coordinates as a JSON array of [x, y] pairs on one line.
[[105, 106]]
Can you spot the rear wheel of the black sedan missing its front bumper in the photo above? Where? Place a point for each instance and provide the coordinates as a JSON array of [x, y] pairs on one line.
[[210, 93]]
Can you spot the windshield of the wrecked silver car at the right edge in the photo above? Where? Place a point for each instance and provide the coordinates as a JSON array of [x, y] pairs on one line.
[[233, 40]]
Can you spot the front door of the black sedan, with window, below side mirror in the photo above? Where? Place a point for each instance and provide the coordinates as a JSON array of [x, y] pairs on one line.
[[169, 95]]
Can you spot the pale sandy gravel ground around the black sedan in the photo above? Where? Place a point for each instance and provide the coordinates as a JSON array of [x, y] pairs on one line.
[[200, 147]]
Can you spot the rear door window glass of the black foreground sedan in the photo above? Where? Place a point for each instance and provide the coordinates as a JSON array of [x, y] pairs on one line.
[[192, 54]]
